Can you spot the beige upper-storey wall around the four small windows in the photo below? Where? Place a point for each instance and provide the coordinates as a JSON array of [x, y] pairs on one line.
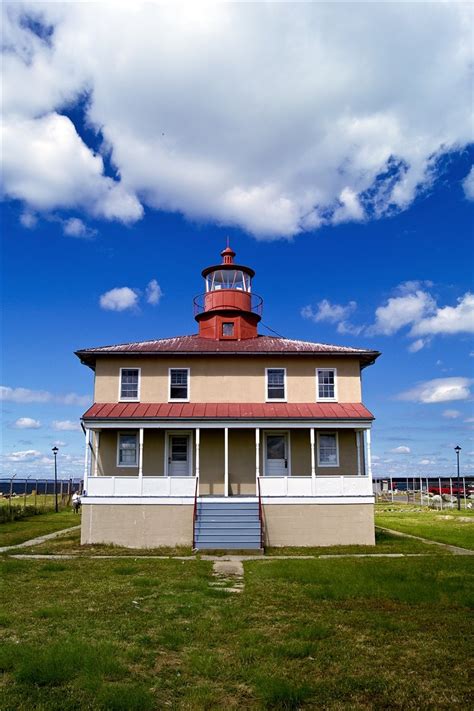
[[229, 379]]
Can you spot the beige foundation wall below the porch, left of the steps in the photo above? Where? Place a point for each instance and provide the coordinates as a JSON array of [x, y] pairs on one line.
[[137, 526]]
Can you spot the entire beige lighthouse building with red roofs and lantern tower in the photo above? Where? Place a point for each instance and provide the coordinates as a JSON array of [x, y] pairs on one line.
[[227, 438]]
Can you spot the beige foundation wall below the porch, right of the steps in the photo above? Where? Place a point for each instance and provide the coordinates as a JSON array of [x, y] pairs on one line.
[[319, 524]]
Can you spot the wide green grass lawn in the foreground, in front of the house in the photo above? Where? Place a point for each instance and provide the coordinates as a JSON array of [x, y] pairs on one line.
[[141, 635]]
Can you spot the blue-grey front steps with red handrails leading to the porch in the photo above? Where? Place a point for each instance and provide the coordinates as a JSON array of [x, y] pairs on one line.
[[227, 525]]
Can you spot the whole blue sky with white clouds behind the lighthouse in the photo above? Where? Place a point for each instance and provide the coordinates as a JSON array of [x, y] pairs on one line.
[[370, 247]]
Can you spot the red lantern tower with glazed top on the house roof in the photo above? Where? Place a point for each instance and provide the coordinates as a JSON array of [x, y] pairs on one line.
[[228, 310]]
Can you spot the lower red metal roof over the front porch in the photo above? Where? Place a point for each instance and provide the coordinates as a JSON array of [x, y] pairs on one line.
[[233, 411]]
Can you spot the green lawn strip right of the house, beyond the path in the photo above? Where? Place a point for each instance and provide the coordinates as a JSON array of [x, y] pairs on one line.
[[454, 527]]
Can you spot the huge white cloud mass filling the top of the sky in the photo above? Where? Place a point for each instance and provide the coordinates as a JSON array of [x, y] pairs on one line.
[[292, 123]]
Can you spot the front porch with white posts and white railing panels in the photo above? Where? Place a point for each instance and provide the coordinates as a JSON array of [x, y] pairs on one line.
[[330, 463]]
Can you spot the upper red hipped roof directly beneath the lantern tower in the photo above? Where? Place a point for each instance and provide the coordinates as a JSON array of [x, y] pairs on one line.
[[195, 345]]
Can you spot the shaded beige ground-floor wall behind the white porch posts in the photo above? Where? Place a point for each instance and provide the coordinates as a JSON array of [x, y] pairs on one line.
[[241, 457]]
